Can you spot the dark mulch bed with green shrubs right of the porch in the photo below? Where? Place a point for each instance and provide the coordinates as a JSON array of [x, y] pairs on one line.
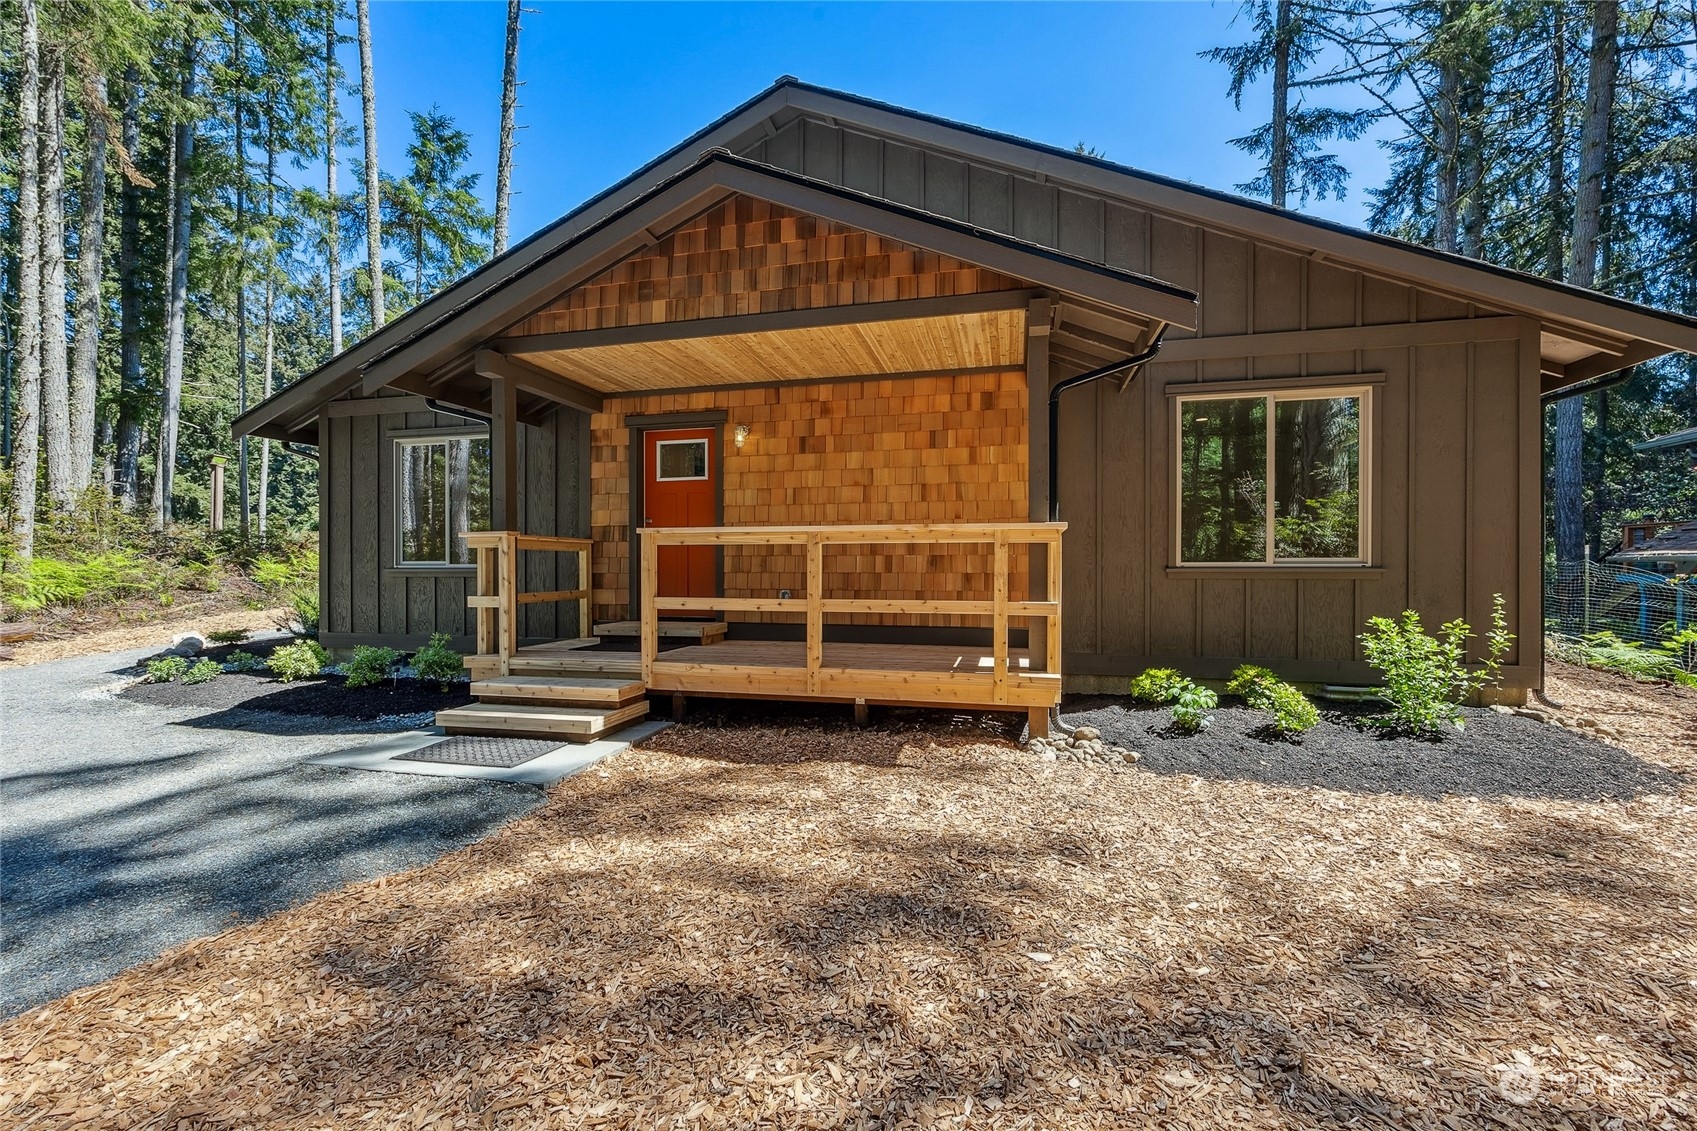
[[1494, 757]]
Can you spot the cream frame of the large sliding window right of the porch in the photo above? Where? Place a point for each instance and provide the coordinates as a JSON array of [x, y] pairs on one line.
[[1274, 397]]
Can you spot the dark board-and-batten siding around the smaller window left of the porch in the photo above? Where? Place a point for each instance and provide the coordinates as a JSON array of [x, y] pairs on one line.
[[366, 599]]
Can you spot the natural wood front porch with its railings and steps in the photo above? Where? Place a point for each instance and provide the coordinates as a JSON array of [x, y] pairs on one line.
[[581, 690]]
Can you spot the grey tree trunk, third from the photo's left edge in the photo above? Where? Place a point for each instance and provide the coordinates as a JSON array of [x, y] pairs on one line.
[[91, 269]]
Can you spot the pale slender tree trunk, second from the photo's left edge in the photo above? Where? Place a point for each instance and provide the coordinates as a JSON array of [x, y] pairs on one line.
[[55, 363]]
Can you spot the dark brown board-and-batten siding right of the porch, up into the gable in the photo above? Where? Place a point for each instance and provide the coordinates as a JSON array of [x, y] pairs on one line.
[[1455, 429]]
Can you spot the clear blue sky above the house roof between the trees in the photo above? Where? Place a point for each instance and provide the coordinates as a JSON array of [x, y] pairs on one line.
[[612, 86]]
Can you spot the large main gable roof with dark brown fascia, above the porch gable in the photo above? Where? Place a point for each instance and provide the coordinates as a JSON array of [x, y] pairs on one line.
[[1608, 334]]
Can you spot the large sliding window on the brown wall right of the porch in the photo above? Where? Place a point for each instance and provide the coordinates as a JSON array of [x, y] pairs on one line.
[[1272, 478]]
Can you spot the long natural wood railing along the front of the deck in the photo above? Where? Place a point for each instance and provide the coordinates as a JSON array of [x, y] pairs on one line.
[[814, 605]]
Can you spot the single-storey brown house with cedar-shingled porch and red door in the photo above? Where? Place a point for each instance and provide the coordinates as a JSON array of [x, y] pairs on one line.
[[846, 402]]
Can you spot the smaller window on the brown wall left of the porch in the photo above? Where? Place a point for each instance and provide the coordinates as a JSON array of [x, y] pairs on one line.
[[444, 493]]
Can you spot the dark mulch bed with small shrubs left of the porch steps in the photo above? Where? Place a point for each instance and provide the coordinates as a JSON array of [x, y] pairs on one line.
[[325, 697]]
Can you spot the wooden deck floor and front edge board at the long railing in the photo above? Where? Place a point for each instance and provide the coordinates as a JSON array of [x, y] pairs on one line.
[[873, 673]]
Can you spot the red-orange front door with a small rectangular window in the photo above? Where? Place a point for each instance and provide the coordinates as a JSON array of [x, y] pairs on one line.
[[680, 490]]
